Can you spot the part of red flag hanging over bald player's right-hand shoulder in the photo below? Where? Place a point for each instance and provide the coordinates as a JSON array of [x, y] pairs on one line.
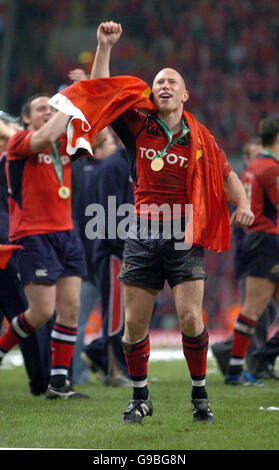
[[205, 190]]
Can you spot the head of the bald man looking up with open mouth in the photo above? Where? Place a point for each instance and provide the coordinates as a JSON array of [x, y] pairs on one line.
[[169, 91]]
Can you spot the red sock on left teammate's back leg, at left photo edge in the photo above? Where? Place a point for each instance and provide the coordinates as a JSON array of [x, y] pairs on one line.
[[18, 330]]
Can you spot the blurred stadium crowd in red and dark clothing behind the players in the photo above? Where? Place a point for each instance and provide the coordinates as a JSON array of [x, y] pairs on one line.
[[227, 51]]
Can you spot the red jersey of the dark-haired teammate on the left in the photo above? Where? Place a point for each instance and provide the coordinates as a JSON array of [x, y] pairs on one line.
[[34, 204]]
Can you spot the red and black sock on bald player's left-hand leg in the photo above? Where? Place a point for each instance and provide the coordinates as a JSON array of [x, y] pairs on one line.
[[137, 356]]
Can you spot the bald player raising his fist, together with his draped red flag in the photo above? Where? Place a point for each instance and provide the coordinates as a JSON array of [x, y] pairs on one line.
[[182, 181]]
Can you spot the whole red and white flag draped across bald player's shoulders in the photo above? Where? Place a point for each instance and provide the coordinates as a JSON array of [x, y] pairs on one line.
[[94, 104]]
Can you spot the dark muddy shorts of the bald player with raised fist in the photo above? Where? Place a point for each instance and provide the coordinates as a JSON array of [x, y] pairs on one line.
[[149, 262]]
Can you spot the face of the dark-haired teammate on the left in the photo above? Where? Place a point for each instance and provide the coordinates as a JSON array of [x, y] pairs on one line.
[[40, 113]]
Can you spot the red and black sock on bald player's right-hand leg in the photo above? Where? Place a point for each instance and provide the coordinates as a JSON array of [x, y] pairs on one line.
[[195, 352]]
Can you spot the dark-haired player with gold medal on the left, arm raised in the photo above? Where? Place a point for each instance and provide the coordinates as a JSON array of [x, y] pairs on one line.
[[52, 261]]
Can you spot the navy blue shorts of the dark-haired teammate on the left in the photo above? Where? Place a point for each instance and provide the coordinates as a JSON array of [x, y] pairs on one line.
[[46, 257]]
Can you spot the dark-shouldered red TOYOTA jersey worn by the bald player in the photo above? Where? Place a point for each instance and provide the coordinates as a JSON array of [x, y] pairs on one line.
[[143, 138]]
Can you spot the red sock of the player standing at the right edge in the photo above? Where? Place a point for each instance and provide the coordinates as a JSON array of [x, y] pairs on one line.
[[244, 329]]
